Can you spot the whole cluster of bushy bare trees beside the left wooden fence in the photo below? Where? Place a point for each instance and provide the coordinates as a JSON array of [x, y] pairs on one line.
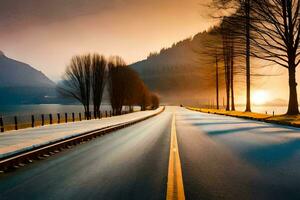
[[88, 76]]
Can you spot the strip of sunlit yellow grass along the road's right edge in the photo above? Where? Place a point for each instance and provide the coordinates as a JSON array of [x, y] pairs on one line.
[[290, 120]]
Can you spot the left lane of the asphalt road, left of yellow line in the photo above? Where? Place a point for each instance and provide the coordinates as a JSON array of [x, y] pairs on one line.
[[131, 163]]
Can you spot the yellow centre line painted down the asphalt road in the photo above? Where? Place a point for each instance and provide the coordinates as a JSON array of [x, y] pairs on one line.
[[175, 190]]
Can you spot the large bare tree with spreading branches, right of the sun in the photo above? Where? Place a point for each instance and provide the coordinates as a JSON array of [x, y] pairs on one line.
[[277, 35]]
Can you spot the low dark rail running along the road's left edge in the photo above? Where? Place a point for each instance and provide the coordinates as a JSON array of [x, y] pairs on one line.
[[26, 157]]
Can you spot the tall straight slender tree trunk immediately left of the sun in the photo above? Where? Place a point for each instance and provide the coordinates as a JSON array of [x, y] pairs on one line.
[[248, 80]]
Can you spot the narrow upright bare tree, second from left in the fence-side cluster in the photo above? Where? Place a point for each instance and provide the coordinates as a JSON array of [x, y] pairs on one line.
[[98, 69]]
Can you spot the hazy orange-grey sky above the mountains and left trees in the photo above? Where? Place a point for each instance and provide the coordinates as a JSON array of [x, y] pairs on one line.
[[46, 33]]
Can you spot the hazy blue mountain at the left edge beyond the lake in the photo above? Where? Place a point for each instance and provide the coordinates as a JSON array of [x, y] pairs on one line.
[[22, 84]]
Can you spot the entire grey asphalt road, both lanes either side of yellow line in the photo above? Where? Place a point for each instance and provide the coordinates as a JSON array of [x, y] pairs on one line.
[[221, 158]]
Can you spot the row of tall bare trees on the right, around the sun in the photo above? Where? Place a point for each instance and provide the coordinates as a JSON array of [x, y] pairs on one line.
[[261, 29]]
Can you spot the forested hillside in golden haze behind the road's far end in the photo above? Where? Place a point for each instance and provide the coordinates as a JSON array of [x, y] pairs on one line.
[[177, 74]]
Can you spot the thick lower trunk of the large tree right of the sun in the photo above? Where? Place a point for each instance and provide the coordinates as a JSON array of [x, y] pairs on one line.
[[293, 107]]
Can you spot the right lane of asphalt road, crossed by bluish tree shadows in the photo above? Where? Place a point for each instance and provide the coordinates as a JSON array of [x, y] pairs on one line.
[[230, 158]]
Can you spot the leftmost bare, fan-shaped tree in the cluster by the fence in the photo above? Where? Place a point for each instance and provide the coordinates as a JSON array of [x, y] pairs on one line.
[[76, 82]]
